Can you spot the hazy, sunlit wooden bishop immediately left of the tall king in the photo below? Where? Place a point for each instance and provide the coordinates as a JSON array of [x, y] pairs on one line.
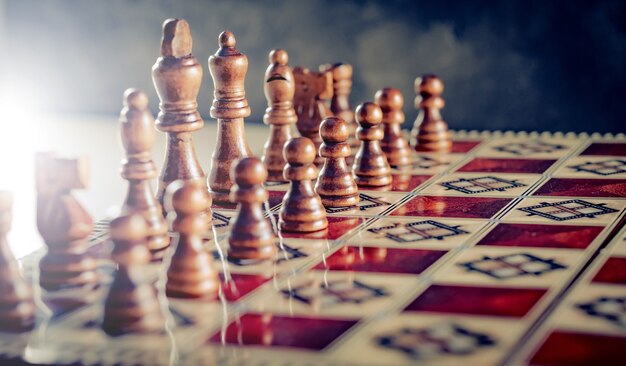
[[137, 132]]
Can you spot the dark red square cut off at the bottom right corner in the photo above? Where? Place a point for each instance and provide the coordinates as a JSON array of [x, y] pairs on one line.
[[568, 348]]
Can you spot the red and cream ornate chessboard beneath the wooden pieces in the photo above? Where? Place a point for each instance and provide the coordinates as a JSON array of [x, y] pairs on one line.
[[509, 249]]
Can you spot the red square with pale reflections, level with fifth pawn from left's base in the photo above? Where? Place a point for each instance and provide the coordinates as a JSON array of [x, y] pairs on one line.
[[448, 206]]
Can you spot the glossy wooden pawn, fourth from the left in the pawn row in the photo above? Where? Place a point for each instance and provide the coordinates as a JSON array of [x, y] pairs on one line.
[[302, 209]]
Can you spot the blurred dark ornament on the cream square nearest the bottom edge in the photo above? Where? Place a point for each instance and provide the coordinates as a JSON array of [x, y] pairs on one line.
[[441, 339]]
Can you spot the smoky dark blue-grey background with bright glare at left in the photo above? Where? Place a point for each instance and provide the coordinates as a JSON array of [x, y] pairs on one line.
[[513, 65]]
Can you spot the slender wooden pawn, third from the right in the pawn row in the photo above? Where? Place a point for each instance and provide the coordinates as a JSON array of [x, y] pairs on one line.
[[370, 168]]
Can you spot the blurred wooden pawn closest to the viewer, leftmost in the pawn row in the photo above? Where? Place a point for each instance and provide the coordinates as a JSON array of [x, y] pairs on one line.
[[131, 305]]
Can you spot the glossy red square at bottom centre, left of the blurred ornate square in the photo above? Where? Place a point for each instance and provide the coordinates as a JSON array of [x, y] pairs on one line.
[[269, 330]]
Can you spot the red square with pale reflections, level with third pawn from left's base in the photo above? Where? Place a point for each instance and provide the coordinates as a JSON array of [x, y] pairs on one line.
[[381, 260]]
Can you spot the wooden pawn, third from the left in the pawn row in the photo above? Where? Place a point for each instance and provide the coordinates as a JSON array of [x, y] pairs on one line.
[[251, 235]]
